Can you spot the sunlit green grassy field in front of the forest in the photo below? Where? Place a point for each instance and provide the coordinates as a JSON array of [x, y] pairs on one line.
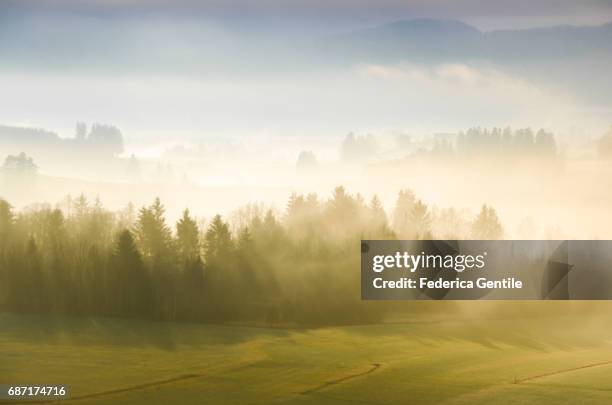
[[513, 359]]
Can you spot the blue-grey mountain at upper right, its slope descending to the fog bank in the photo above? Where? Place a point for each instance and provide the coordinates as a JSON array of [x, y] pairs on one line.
[[575, 58]]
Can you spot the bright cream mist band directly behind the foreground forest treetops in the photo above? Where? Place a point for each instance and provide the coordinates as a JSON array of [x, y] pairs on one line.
[[536, 180]]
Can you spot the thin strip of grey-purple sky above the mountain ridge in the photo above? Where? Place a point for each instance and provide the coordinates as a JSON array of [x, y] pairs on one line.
[[327, 14]]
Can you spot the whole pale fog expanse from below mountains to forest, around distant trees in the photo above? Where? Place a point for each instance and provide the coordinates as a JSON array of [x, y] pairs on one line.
[[215, 145]]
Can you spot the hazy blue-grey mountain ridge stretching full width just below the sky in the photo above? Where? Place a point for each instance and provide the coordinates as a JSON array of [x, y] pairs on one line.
[[72, 42]]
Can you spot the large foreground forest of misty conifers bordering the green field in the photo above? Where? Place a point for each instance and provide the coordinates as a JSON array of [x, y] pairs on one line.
[[298, 267]]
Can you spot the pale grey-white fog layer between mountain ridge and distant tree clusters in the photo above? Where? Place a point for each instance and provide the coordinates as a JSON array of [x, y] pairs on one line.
[[365, 98]]
